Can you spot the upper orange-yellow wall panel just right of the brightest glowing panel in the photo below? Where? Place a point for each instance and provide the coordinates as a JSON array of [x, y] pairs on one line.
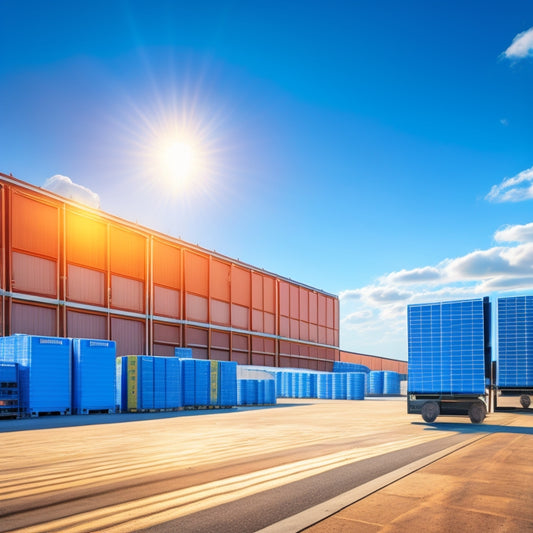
[[128, 252]]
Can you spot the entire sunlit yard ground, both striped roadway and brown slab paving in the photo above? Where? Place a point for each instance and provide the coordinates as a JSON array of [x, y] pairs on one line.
[[286, 468]]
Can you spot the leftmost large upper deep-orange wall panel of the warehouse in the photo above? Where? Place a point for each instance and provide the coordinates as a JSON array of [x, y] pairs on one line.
[[26, 235]]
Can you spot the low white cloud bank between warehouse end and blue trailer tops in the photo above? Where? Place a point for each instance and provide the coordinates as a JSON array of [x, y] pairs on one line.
[[373, 318]]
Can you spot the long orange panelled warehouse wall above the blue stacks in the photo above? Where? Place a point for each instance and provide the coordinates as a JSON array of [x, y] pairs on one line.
[[72, 271]]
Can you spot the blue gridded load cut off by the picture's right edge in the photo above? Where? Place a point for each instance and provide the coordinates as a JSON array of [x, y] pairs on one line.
[[515, 342]]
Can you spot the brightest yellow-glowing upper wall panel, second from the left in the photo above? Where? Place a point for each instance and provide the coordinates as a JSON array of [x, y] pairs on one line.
[[86, 241]]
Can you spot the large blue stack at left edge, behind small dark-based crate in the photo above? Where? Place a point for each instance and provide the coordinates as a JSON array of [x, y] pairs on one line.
[[45, 365]]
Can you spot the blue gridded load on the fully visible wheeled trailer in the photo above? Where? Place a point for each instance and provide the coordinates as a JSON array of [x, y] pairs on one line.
[[449, 347]]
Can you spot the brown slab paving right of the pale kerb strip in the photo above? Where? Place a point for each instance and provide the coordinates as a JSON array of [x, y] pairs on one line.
[[485, 486]]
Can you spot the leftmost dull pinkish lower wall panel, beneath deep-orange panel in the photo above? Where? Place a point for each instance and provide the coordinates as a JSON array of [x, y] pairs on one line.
[[34, 274]]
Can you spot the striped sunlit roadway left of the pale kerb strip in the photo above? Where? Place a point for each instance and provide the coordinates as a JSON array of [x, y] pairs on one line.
[[238, 470]]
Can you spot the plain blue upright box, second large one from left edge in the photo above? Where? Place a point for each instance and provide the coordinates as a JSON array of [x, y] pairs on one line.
[[93, 376]]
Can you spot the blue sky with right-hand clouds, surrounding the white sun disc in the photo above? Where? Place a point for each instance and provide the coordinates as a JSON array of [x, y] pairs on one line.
[[378, 150]]
